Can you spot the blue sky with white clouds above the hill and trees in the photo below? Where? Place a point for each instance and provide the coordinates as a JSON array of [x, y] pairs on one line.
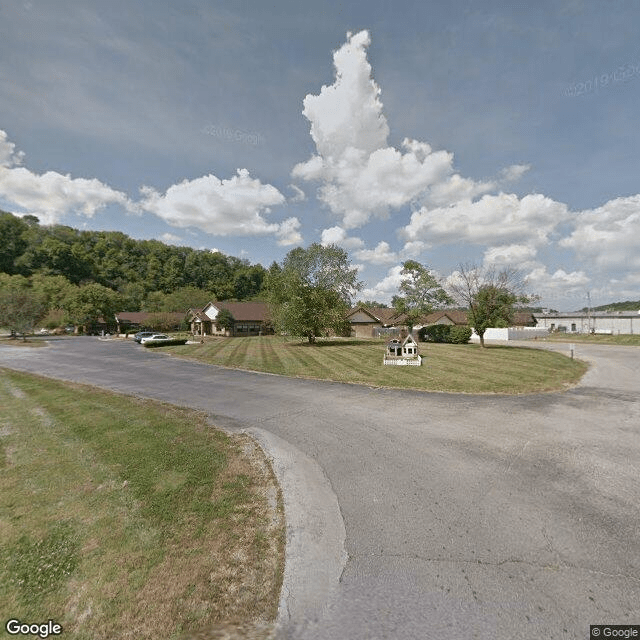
[[464, 132]]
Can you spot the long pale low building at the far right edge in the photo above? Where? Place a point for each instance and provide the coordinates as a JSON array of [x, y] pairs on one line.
[[606, 322]]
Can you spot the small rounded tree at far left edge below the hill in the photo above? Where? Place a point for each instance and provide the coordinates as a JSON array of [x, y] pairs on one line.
[[20, 306]]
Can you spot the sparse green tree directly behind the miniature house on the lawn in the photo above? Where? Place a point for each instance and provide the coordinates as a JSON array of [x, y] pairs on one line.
[[421, 293]]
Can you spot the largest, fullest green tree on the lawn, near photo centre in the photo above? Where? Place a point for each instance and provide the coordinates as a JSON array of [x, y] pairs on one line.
[[312, 291]]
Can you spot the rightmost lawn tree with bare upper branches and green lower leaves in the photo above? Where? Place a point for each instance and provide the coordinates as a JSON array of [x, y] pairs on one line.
[[490, 295]]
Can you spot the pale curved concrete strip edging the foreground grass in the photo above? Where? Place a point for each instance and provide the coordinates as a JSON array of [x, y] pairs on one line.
[[315, 553]]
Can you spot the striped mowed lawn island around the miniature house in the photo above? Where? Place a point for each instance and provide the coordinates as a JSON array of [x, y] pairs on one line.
[[454, 368]]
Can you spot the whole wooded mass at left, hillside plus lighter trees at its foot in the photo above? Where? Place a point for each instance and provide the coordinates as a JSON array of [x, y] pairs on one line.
[[72, 275]]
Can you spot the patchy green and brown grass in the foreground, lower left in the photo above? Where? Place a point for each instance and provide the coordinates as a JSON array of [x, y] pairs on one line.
[[124, 518]]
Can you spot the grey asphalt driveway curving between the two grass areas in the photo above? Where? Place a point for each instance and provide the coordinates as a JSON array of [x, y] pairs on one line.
[[465, 516]]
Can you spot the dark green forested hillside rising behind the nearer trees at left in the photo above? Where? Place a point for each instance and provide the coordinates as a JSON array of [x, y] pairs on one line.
[[144, 272]]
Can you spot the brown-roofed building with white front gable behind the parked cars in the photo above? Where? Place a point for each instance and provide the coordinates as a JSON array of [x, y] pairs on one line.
[[249, 319]]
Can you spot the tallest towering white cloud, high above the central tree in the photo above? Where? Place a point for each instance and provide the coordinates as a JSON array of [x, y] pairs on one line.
[[361, 175]]
